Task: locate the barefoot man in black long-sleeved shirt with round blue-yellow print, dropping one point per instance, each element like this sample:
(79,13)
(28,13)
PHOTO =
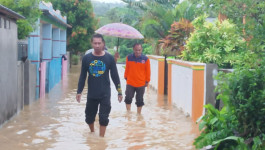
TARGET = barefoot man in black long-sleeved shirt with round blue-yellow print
(98,65)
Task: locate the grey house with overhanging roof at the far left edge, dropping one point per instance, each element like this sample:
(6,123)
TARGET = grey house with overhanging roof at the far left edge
(10,78)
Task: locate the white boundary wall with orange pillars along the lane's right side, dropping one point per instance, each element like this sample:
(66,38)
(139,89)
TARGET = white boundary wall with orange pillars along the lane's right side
(190,85)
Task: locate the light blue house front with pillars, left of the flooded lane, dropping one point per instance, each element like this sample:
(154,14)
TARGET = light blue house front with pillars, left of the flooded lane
(48,43)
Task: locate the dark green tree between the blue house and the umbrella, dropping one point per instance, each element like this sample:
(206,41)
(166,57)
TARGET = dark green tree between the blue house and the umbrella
(82,19)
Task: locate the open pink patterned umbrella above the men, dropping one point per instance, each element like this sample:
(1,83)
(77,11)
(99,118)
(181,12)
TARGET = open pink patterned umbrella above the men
(119,30)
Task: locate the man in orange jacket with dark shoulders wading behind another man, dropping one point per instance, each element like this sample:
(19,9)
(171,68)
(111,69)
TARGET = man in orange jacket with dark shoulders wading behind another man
(137,75)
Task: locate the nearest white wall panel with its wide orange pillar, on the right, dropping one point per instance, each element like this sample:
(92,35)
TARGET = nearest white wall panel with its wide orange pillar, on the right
(187,87)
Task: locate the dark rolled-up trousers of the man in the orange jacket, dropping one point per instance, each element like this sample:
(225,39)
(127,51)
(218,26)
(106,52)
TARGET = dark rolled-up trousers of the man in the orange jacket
(129,94)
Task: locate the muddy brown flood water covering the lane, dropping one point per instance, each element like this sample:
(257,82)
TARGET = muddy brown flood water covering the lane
(57,122)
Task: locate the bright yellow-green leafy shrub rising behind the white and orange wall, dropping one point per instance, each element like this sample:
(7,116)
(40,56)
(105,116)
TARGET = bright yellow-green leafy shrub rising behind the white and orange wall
(218,43)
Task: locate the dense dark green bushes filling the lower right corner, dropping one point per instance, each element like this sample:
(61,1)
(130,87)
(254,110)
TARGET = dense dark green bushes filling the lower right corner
(240,123)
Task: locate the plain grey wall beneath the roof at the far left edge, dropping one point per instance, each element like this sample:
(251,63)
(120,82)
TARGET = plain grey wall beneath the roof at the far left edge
(8,69)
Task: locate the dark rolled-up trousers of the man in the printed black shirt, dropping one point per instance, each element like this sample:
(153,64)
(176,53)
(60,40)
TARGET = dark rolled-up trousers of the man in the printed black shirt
(92,109)
